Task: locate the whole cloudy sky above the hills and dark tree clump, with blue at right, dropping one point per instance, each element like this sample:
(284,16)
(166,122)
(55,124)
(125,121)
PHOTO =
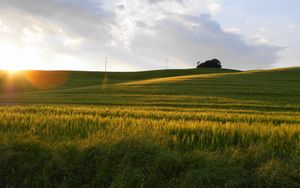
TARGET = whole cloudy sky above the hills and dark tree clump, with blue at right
(139,35)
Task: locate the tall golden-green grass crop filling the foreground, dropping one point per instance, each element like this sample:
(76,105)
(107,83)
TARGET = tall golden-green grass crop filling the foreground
(192,136)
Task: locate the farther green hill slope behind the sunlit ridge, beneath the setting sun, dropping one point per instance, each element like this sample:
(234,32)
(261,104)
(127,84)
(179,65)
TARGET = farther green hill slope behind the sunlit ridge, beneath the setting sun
(70,79)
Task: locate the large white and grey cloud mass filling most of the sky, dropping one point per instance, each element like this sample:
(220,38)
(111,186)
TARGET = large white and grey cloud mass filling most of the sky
(134,35)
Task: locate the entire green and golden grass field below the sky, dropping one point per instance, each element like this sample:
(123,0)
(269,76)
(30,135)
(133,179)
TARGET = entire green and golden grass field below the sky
(175,128)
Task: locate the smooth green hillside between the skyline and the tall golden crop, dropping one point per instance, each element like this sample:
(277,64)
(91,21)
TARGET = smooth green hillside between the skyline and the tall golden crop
(277,87)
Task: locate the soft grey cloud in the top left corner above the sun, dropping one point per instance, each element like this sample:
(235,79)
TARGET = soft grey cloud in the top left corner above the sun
(82,18)
